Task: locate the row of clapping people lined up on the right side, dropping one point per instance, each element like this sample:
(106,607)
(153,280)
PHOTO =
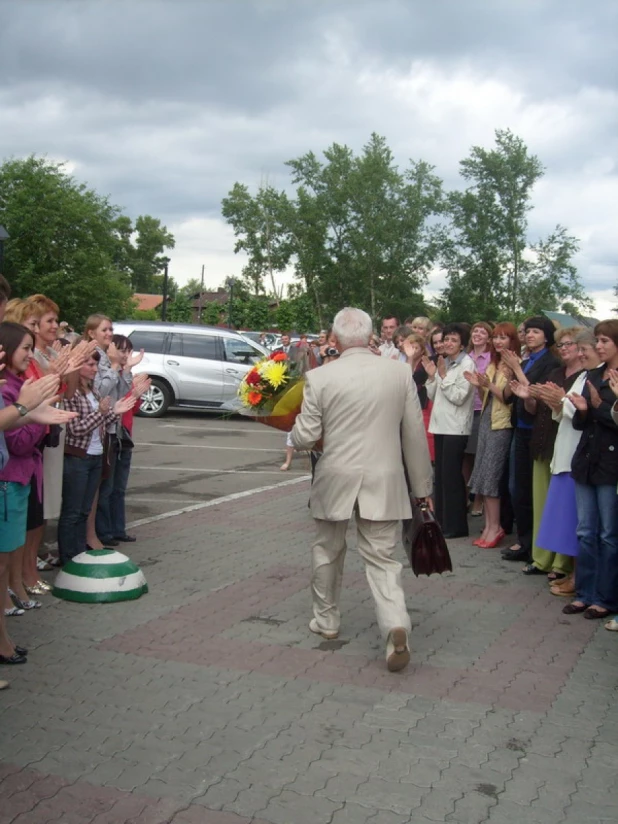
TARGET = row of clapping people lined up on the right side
(523,429)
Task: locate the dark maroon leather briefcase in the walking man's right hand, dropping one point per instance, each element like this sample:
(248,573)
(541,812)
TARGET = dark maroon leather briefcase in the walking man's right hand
(424,542)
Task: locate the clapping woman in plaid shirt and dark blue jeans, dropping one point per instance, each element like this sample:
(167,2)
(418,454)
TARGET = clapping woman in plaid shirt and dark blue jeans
(83,457)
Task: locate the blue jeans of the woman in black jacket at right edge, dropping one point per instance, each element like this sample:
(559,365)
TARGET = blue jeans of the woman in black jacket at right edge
(596,573)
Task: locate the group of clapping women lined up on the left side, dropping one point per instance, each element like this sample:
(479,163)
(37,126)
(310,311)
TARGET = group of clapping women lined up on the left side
(66,415)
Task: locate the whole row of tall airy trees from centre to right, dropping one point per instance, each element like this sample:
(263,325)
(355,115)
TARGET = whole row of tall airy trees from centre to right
(358,230)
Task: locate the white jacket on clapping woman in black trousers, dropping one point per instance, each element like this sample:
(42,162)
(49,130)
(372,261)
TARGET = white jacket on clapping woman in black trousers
(453,399)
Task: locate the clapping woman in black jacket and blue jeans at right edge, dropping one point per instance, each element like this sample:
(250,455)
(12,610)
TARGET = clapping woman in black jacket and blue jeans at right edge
(595,471)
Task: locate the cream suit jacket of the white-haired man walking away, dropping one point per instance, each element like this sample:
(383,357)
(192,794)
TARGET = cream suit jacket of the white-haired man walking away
(367,411)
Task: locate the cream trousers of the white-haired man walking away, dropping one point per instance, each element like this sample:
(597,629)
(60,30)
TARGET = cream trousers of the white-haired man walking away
(377,541)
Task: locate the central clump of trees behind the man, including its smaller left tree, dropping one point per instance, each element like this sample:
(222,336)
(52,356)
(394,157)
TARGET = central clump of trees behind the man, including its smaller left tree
(358,230)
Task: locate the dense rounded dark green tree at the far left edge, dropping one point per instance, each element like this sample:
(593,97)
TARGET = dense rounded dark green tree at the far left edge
(65,240)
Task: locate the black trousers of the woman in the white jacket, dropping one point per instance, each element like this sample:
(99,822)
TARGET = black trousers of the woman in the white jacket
(451,502)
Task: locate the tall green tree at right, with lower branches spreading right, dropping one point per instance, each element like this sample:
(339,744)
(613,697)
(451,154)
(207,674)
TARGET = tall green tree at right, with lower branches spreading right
(493,269)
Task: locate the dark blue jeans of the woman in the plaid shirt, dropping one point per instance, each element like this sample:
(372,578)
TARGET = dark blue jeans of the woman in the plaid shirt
(80,480)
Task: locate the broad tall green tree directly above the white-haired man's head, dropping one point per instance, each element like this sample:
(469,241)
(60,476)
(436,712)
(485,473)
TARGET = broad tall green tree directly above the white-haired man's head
(362,231)
